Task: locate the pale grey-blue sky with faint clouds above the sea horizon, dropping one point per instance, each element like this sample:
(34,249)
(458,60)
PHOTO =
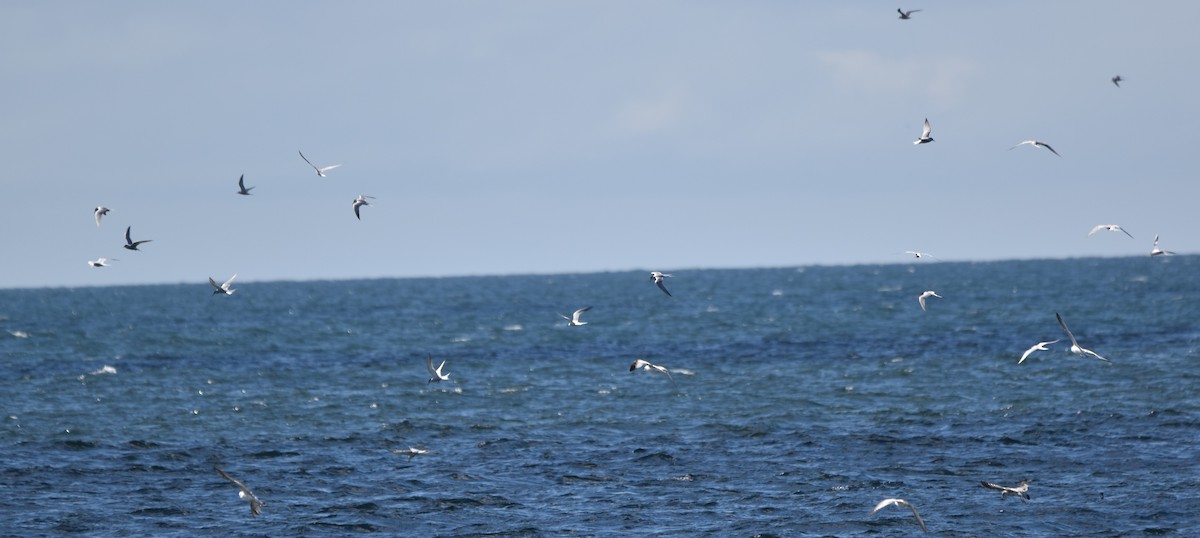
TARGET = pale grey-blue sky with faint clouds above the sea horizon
(517,138)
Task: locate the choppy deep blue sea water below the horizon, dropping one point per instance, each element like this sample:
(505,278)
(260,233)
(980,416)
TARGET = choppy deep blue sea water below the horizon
(802,397)
